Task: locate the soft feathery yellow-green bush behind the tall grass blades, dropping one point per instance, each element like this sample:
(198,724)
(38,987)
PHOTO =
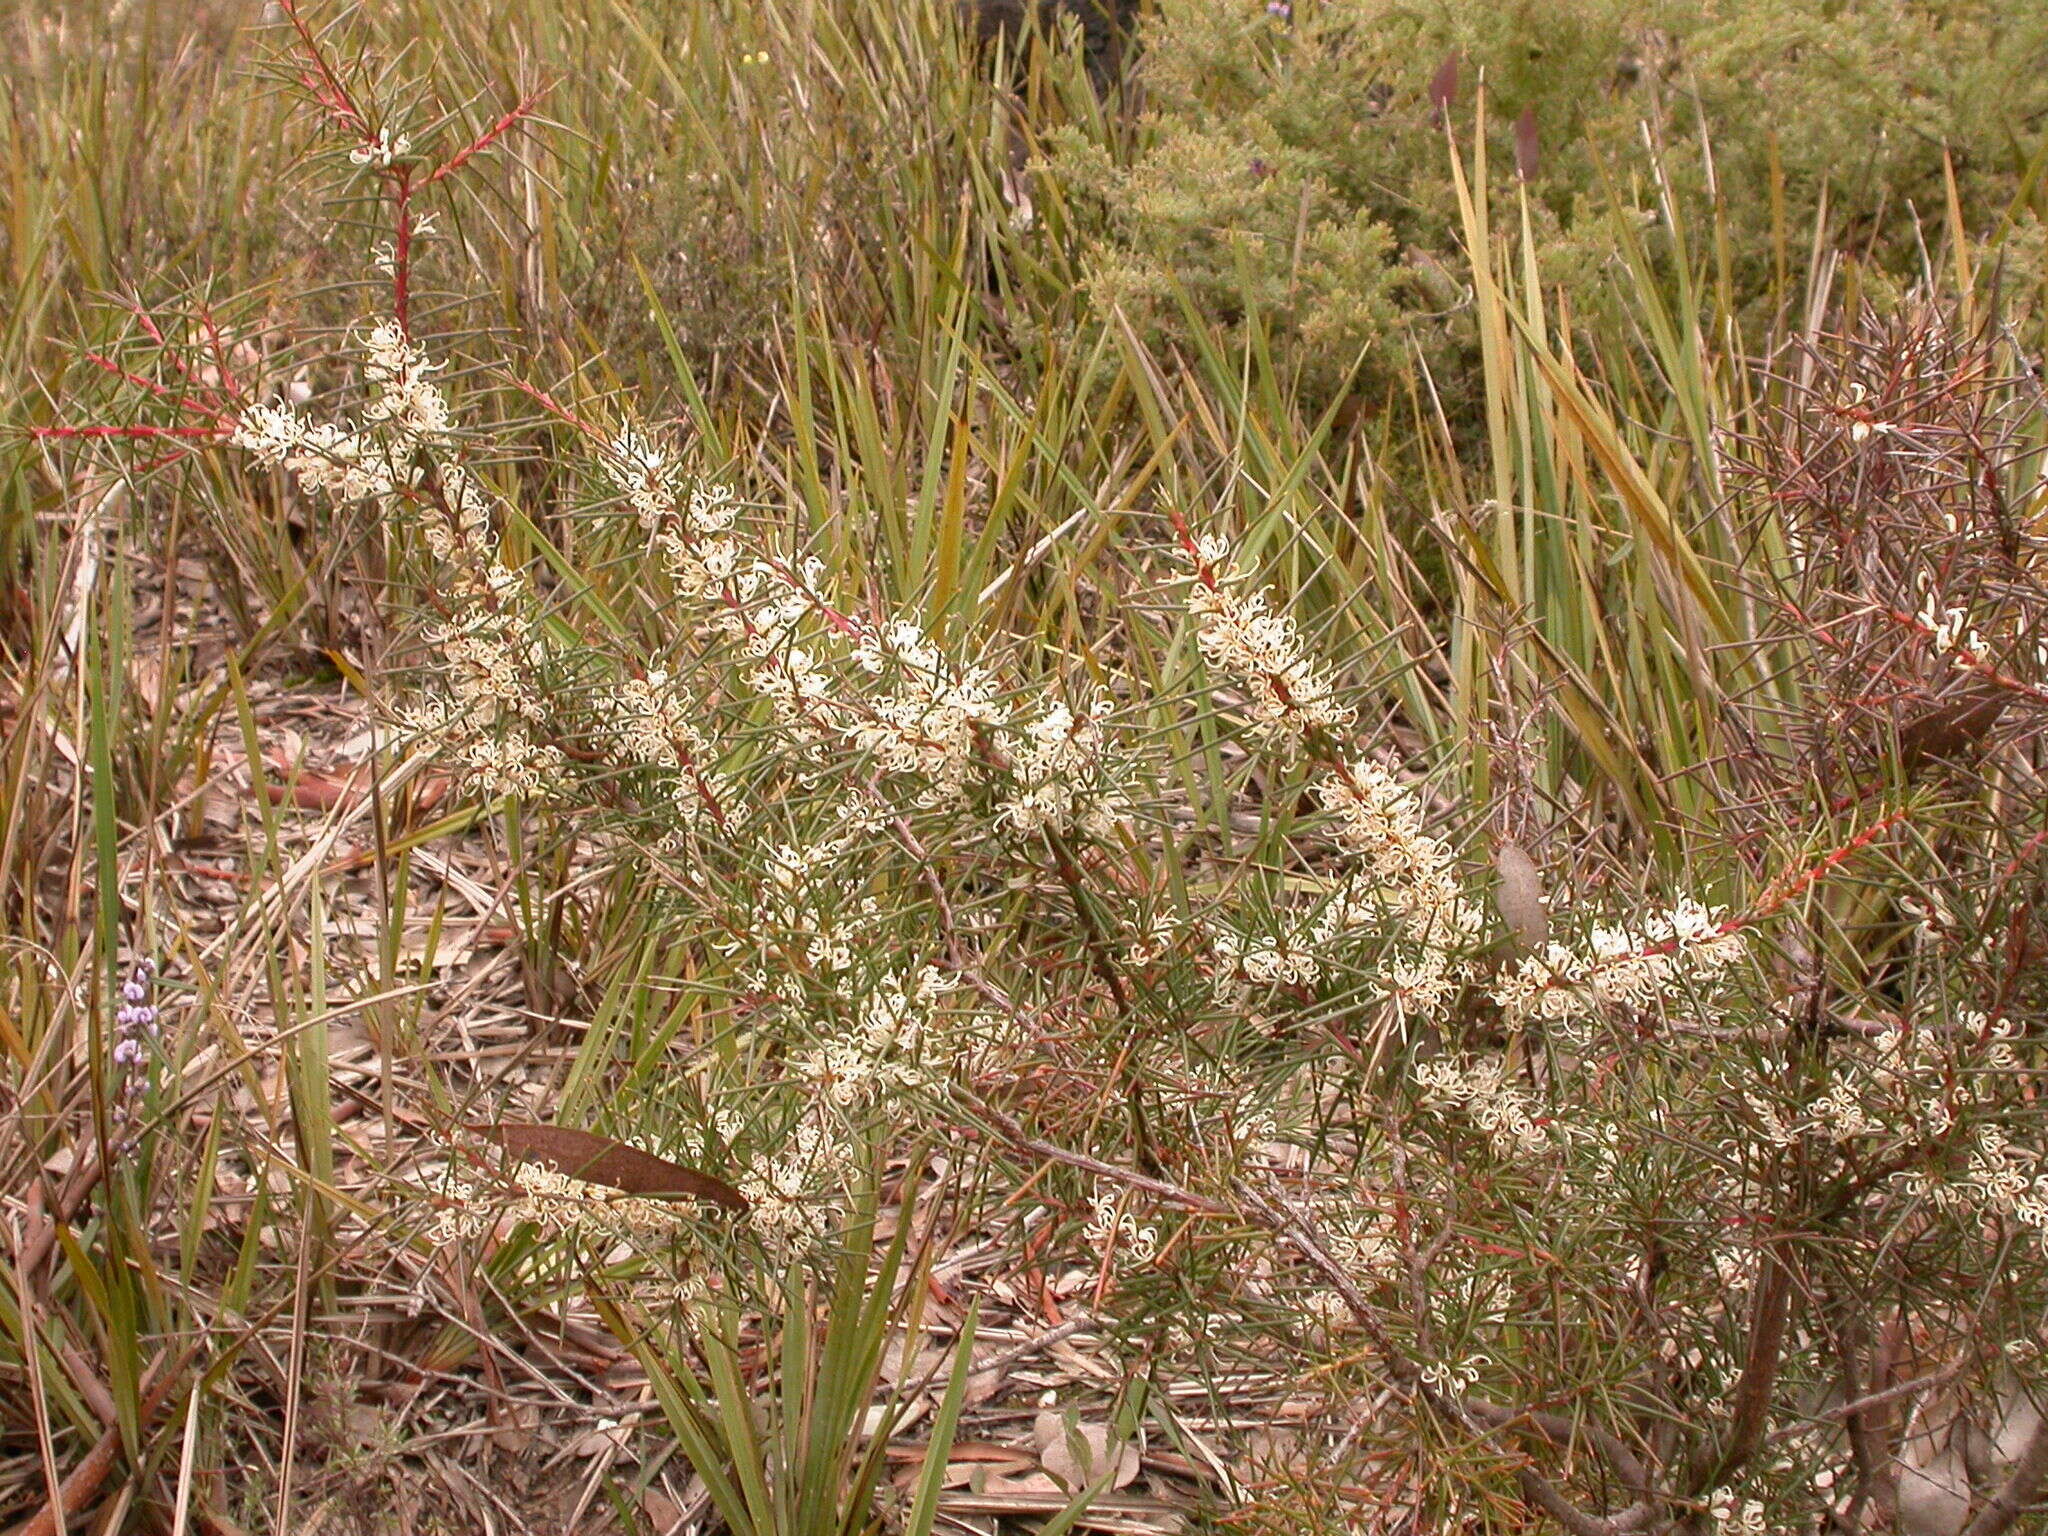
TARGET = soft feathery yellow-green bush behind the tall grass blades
(1291,171)
